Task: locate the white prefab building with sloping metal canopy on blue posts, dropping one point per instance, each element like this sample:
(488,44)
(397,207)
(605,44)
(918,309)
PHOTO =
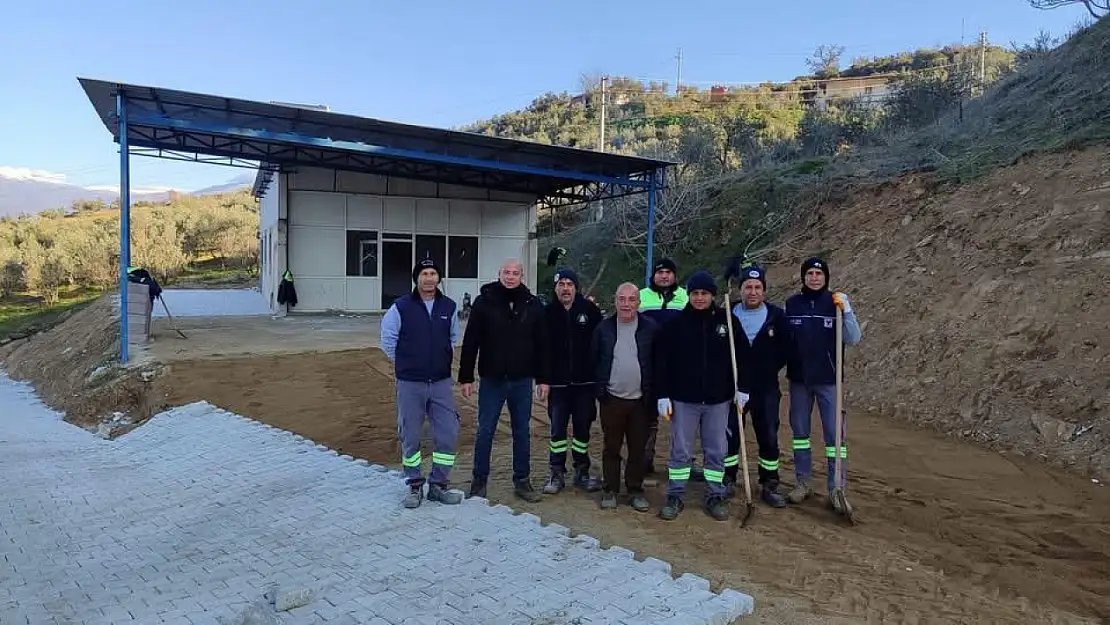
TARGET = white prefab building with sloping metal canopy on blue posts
(351,204)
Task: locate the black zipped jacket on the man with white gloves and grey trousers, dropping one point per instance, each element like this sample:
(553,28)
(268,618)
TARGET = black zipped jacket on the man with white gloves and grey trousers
(692,359)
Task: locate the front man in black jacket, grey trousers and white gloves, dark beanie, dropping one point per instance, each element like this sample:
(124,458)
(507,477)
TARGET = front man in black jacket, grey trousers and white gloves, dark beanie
(694,382)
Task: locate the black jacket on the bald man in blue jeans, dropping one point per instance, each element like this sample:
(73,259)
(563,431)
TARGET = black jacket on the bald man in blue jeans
(508,327)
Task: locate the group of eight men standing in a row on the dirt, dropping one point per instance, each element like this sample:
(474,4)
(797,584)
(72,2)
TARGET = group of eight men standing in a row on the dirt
(667,352)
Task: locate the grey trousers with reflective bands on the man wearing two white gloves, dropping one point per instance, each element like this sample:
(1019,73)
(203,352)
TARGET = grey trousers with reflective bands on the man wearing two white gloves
(713,422)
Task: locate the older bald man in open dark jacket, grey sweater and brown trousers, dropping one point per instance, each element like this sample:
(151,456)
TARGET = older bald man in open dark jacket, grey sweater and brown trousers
(623,352)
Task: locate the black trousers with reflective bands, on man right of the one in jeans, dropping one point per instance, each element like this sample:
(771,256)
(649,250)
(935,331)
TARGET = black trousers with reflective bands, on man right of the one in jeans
(576,407)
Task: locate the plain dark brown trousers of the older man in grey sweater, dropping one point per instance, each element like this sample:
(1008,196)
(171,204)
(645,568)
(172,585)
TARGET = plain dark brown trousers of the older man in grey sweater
(624,421)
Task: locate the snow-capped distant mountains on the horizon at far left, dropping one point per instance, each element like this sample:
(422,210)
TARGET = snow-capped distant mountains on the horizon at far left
(31,191)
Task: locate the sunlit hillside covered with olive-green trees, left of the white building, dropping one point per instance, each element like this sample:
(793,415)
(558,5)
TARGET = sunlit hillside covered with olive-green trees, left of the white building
(60,257)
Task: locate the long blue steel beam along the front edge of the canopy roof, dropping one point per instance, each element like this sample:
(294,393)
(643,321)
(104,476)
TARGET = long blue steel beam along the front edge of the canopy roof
(158,122)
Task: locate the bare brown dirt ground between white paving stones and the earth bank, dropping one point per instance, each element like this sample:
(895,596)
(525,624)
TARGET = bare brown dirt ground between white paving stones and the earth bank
(950,532)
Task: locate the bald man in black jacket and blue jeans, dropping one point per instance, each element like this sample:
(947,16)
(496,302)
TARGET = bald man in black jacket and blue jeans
(507,326)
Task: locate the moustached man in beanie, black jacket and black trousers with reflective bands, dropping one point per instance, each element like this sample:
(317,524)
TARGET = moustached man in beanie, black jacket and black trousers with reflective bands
(571,321)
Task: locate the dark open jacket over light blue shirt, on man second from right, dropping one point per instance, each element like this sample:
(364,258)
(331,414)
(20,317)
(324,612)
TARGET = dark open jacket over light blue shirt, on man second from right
(762,360)
